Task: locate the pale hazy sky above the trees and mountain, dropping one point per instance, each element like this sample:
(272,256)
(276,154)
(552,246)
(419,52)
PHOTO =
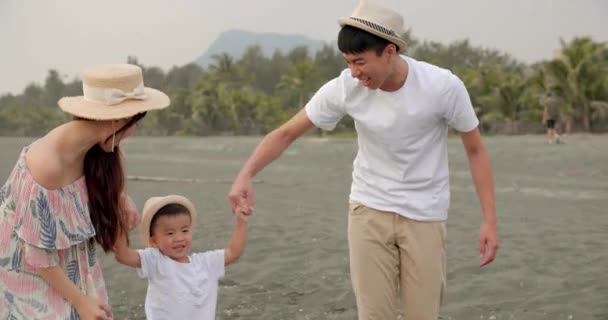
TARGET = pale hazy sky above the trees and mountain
(68,35)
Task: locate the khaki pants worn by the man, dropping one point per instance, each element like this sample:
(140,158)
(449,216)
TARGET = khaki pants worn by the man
(390,254)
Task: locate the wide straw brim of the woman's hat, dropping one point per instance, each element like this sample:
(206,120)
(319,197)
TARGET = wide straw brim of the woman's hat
(78,106)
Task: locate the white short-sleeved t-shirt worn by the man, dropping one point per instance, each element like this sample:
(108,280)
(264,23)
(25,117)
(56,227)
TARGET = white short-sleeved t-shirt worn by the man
(402,162)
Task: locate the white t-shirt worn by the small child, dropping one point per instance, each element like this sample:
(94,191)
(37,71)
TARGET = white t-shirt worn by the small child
(181,290)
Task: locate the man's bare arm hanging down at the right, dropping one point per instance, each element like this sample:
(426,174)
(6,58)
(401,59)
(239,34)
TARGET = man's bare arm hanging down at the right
(481,171)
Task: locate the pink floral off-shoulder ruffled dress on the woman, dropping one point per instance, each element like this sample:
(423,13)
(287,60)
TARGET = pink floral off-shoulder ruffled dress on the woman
(44,228)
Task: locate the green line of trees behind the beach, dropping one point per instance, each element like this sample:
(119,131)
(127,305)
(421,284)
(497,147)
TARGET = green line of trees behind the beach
(254,94)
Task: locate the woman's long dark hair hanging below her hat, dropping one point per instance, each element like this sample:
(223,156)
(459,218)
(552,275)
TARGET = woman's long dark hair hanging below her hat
(105,179)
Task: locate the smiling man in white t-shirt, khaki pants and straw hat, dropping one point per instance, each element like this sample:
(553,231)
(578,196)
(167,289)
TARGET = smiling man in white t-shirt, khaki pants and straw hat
(399,196)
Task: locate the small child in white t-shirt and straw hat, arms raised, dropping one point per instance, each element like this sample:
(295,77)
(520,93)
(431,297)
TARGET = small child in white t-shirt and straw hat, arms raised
(181,284)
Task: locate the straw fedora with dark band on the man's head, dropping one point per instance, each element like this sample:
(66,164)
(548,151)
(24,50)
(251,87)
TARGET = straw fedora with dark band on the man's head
(377,20)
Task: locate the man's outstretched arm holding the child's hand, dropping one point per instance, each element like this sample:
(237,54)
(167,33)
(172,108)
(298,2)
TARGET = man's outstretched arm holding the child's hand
(268,150)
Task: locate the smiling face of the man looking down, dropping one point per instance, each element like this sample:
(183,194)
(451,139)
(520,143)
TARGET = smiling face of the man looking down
(372,69)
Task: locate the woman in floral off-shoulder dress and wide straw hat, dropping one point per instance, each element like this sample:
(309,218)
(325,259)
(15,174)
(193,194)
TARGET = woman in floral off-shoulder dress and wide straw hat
(64,195)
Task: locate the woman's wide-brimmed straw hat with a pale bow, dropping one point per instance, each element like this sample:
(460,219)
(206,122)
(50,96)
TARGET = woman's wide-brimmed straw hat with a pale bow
(114,91)
